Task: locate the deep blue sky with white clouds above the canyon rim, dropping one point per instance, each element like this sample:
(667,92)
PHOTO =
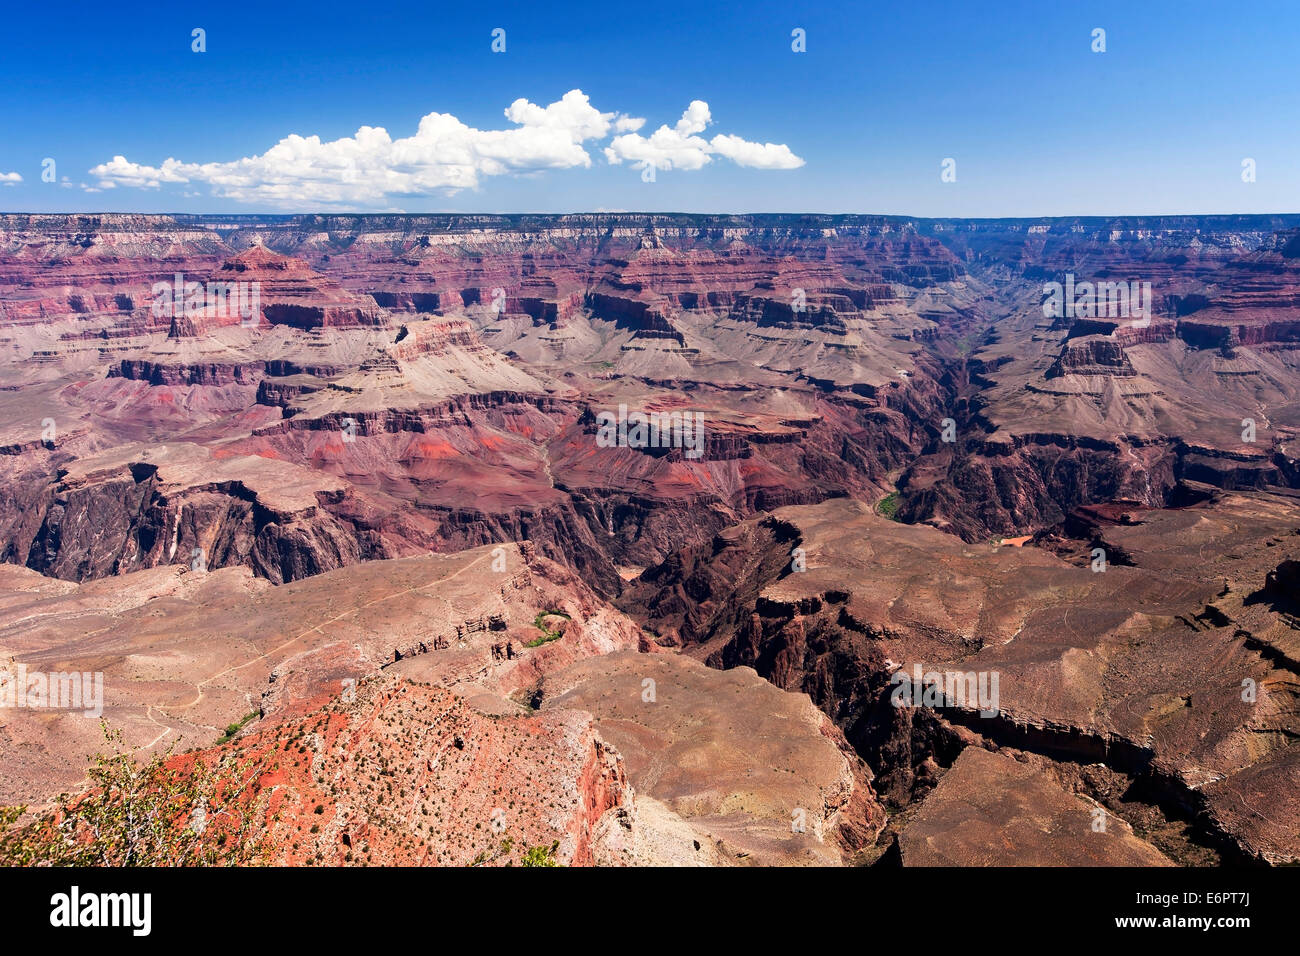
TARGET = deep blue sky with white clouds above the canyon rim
(1038,124)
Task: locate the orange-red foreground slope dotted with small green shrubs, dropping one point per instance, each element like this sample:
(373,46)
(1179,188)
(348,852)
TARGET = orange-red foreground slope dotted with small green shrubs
(396,777)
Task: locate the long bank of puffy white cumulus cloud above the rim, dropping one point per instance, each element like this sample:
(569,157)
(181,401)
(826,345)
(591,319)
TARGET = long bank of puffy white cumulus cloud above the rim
(445,154)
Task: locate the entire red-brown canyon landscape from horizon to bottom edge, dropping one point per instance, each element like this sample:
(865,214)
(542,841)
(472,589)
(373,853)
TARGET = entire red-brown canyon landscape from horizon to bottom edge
(350,490)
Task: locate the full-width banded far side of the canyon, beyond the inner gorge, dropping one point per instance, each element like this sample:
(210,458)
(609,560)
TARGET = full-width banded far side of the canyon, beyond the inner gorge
(825,353)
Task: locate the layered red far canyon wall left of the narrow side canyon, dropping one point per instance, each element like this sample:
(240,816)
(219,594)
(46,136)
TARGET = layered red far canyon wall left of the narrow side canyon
(424,434)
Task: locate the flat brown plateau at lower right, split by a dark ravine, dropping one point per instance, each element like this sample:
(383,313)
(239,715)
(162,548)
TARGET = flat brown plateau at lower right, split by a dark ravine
(1085,661)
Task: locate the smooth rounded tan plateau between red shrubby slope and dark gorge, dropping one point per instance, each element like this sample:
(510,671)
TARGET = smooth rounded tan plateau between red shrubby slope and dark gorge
(718,741)
